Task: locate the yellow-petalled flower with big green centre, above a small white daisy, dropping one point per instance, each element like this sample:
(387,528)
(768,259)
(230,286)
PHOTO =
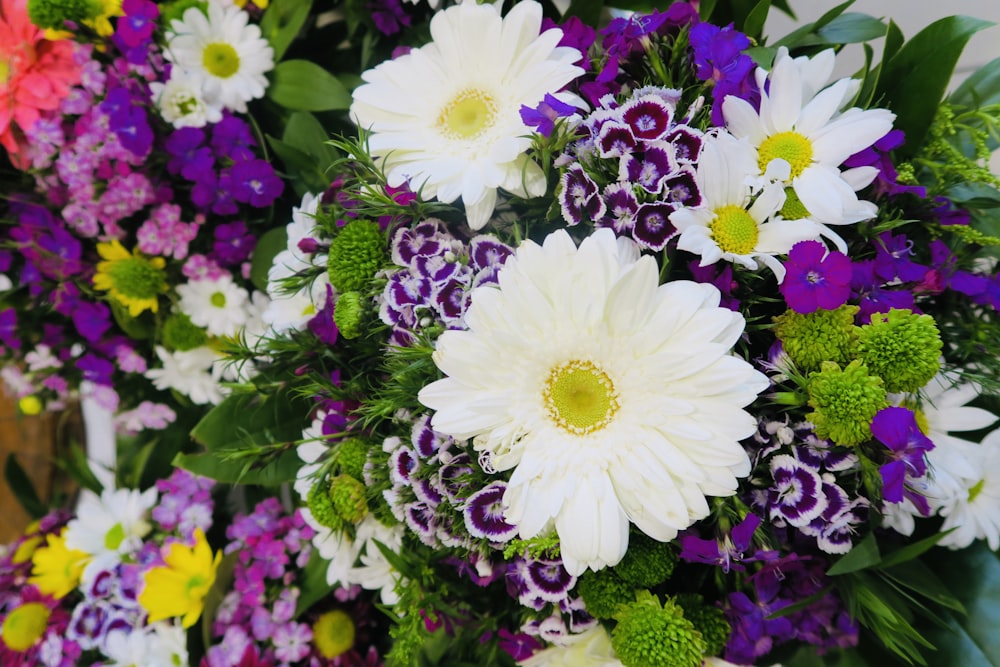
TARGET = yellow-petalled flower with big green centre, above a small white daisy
(133,280)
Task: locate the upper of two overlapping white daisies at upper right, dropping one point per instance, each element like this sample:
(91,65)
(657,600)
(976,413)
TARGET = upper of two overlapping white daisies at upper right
(802,137)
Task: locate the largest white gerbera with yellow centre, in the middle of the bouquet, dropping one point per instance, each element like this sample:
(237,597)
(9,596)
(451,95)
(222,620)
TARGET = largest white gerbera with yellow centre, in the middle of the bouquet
(613,398)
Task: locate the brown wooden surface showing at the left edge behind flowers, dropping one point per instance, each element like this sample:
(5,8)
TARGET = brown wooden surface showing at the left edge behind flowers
(34,441)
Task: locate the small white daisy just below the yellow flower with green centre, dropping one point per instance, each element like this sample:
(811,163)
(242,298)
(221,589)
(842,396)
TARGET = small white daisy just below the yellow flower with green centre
(217,304)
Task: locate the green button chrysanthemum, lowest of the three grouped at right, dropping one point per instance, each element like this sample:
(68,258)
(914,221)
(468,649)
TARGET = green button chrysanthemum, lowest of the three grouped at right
(845,401)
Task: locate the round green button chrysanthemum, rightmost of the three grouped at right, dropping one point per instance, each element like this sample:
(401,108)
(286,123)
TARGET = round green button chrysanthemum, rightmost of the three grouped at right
(902,348)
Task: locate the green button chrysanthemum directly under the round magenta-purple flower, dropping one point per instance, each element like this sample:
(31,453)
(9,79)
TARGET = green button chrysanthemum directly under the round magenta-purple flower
(823,335)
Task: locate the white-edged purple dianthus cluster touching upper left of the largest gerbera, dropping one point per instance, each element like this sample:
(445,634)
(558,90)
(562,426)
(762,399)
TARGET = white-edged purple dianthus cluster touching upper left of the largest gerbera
(437,274)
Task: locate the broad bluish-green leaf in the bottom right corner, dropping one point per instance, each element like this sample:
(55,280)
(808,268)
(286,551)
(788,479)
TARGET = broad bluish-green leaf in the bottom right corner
(973,576)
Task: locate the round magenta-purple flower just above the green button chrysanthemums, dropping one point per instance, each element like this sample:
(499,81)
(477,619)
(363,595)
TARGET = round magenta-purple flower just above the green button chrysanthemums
(815,279)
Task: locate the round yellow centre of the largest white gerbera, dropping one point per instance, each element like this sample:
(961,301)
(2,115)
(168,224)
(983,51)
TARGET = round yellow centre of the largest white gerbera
(580,397)
